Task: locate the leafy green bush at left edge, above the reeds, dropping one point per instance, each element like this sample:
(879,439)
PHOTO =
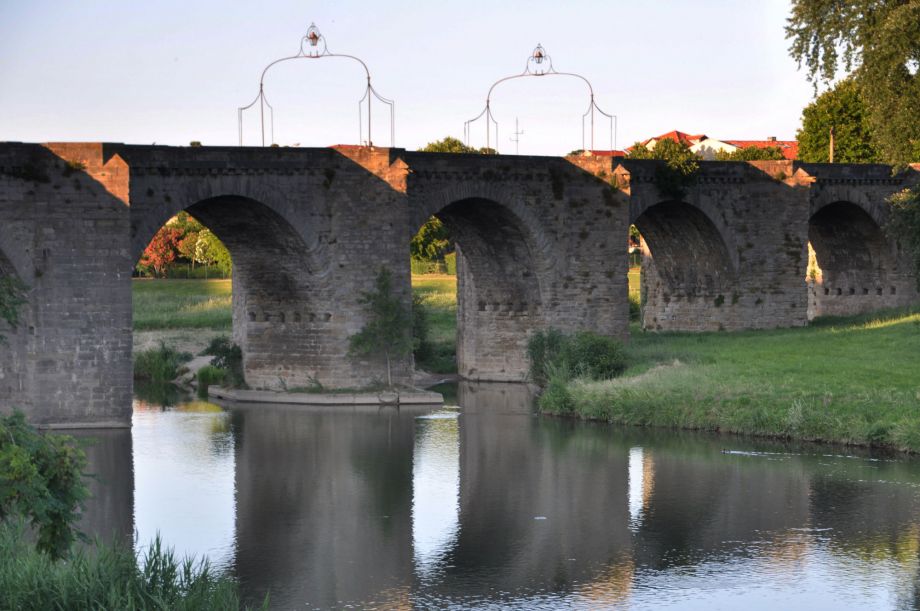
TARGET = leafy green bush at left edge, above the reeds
(41,480)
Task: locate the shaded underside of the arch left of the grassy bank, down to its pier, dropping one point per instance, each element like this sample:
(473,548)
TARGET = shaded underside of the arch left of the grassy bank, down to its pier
(499,300)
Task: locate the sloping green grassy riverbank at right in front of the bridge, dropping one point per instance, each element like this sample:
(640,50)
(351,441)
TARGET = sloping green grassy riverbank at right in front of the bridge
(850,380)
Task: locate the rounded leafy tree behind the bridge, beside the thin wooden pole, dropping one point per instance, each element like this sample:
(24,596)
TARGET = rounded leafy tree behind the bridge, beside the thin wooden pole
(843,109)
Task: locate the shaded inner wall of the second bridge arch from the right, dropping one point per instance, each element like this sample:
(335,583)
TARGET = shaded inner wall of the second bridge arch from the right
(687,268)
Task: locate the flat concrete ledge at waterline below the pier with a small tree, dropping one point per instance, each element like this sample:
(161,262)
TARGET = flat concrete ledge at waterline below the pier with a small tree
(384,398)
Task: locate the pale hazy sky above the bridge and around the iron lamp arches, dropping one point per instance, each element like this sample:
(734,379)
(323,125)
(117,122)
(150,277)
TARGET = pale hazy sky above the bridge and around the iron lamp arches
(170,72)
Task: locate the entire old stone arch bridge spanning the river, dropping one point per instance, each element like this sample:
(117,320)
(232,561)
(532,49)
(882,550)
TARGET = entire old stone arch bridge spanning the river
(541,243)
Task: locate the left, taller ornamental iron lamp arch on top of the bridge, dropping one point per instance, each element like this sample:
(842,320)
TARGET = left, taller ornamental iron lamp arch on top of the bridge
(313,46)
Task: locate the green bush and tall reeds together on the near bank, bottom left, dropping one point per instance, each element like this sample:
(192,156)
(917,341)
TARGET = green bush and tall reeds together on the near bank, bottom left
(42,489)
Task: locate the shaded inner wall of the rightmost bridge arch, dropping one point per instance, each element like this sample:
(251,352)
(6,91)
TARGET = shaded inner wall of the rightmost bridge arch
(851,265)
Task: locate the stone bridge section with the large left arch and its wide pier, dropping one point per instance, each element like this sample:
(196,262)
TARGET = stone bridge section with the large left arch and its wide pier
(299,232)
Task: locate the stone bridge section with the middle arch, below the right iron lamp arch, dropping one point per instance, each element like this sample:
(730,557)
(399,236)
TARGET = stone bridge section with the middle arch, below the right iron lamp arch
(534,246)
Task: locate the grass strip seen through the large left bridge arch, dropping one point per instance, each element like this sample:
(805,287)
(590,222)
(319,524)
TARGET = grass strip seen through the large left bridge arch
(181,304)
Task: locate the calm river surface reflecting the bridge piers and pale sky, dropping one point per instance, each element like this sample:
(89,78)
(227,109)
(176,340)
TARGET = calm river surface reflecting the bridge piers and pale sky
(488,506)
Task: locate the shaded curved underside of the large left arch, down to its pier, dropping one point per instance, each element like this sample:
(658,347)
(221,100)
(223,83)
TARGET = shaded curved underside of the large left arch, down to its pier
(281,312)
